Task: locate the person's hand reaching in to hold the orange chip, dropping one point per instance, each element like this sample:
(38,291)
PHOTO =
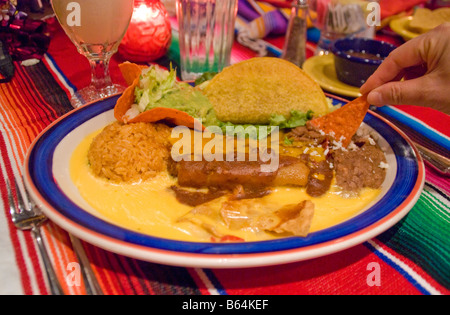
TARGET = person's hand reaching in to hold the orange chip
(424,64)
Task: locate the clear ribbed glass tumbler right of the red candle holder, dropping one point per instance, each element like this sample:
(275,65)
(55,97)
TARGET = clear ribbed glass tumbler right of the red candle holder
(206,35)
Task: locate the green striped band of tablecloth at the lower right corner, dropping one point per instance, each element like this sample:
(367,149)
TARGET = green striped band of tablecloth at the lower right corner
(427,247)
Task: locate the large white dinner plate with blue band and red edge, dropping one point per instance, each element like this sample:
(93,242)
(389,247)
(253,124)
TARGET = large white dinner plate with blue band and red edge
(49,177)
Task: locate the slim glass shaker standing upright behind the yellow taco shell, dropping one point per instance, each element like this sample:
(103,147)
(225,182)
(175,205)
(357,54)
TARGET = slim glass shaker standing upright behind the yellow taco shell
(295,46)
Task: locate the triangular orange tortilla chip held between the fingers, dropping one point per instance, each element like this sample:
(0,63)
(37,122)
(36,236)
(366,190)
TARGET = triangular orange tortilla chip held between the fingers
(343,123)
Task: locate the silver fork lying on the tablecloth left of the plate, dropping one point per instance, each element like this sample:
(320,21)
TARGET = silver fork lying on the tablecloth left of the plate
(27,216)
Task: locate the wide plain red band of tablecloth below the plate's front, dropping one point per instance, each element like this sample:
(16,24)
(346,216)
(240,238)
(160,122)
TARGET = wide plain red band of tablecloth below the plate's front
(341,273)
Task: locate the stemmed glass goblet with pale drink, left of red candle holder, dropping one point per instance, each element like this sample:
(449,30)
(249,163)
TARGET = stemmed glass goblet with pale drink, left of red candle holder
(96,27)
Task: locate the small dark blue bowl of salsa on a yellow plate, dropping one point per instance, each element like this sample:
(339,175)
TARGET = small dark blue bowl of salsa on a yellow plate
(356,59)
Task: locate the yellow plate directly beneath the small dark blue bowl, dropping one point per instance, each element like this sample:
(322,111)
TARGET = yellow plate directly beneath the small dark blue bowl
(321,69)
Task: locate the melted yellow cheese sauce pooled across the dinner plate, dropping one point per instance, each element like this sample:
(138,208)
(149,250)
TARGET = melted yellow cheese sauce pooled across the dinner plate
(151,208)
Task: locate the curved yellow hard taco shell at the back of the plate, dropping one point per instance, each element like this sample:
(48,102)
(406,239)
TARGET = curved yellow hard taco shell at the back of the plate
(251,91)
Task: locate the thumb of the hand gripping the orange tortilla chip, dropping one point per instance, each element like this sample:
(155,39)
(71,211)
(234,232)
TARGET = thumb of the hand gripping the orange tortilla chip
(411,92)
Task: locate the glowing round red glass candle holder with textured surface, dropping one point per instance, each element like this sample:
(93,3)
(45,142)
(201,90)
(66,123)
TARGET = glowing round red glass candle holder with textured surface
(149,35)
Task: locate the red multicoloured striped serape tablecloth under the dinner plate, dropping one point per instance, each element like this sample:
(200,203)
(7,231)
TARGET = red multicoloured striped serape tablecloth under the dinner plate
(413,256)
